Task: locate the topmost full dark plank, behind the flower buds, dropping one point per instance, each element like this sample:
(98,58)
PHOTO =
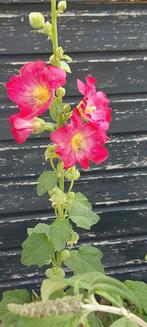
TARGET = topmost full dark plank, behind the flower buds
(88,28)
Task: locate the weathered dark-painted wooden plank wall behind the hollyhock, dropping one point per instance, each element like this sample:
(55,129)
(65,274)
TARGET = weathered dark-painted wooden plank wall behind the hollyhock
(110,42)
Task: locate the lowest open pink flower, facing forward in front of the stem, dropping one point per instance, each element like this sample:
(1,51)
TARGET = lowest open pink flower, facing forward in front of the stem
(79,142)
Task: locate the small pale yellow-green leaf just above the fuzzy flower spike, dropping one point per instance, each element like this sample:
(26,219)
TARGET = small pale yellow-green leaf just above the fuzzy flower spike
(50,286)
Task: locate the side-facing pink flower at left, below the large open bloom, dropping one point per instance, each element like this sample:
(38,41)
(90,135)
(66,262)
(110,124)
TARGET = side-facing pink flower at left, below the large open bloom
(23,126)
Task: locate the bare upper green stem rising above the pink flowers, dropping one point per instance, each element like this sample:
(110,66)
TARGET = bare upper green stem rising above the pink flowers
(54,31)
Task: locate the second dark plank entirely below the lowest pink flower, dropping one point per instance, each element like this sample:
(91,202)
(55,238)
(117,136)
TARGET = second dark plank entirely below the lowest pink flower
(115,222)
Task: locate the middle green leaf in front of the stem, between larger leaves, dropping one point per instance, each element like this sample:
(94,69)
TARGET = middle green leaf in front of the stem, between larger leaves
(60,233)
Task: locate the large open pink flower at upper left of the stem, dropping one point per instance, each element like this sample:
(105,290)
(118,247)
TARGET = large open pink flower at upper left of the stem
(34,88)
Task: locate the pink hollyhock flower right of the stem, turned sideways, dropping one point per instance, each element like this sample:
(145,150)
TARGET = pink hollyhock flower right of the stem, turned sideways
(94,105)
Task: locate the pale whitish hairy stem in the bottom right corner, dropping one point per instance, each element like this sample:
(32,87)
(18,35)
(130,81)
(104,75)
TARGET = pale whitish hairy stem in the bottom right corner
(94,307)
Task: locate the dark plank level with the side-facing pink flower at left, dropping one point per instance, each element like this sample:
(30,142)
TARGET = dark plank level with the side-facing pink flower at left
(129,115)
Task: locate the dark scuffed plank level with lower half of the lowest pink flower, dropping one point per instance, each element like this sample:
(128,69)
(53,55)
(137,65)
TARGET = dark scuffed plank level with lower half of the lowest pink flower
(125,151)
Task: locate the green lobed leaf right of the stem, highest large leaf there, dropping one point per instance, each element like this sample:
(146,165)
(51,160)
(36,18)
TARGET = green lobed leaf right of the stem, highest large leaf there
(80,212)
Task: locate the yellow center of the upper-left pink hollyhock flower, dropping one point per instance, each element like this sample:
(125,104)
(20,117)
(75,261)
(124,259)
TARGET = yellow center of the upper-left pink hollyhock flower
(41,95)
